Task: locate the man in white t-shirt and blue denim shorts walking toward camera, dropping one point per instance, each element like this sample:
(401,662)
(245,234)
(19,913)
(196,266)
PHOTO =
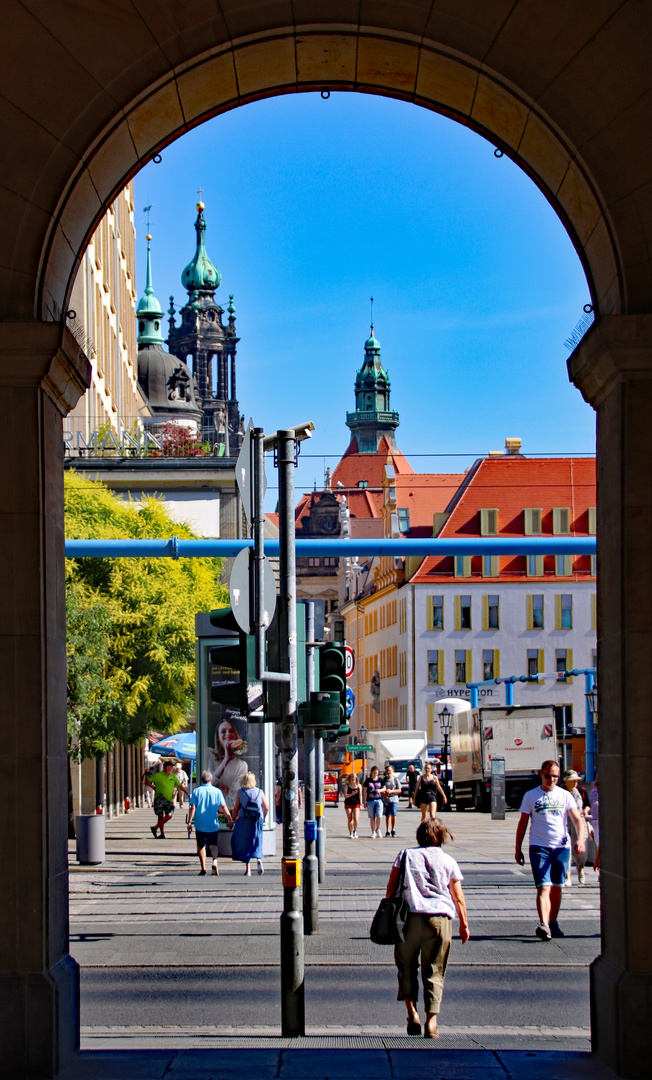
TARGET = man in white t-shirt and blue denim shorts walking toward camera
(548,808)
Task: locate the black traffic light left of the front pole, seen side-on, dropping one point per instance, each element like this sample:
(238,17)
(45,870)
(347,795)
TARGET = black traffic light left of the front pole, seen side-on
(235,683)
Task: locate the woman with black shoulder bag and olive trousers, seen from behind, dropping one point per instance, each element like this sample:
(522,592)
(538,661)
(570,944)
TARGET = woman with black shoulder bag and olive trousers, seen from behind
(431,886)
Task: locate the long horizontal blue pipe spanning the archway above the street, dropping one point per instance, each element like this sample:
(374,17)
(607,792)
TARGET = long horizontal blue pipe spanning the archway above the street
(397,546)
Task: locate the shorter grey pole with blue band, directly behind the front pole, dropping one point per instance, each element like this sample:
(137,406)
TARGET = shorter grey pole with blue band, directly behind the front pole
(311,887)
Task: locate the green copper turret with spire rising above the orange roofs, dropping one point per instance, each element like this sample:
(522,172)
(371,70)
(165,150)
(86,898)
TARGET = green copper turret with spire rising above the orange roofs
(373,417)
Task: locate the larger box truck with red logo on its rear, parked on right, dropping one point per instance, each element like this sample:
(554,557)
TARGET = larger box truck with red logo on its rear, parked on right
(524,735)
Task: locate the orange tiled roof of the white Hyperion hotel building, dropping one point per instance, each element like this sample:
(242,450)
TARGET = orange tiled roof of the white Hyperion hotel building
(510,485)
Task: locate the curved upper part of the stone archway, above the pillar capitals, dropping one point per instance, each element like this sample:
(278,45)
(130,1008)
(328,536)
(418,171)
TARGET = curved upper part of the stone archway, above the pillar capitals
(91,92)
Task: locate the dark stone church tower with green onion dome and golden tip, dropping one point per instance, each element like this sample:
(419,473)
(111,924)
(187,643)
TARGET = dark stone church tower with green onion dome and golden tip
(209,346)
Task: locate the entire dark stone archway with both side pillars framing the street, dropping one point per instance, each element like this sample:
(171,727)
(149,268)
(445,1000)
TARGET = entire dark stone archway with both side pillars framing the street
(90,94)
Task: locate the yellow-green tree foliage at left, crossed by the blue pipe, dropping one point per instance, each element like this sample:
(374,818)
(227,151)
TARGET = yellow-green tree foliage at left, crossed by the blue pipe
(130,623)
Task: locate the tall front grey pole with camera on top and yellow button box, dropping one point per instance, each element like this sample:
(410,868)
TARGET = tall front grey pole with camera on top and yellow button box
(293,1012)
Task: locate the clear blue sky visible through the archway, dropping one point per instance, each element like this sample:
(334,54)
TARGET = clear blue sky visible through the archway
(313,207)
